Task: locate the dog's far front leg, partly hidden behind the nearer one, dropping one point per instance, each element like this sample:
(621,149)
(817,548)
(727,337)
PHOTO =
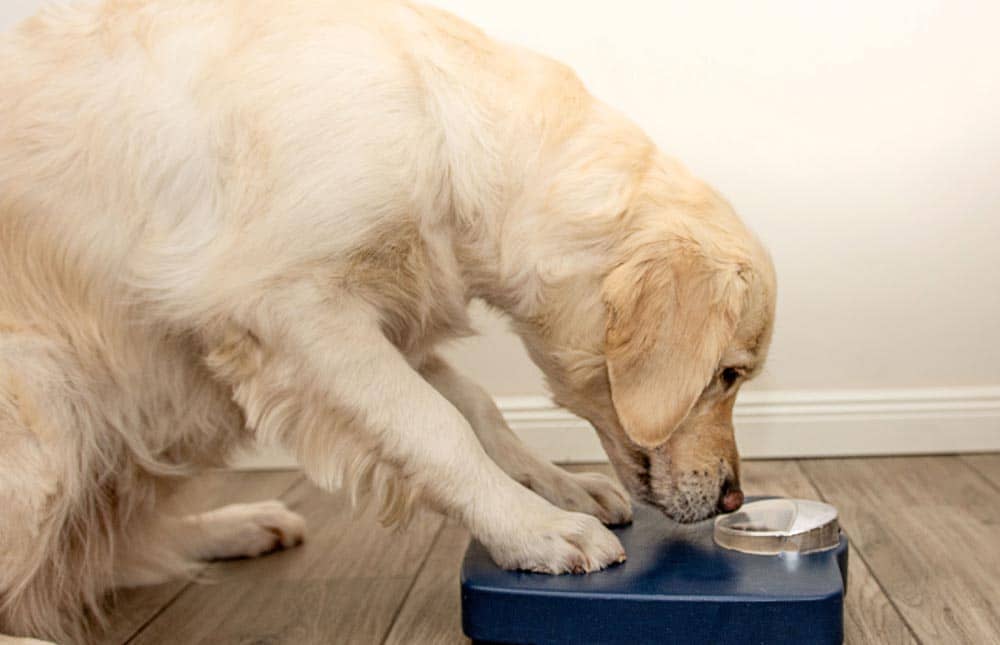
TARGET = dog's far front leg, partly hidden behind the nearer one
(591,493)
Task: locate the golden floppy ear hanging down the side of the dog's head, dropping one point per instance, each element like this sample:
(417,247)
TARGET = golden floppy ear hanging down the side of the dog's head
(671,313)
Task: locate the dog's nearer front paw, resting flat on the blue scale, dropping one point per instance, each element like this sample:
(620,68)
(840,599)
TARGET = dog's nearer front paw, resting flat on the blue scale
(561,542)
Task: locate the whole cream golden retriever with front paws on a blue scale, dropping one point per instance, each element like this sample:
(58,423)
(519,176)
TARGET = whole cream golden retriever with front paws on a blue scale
(230,221)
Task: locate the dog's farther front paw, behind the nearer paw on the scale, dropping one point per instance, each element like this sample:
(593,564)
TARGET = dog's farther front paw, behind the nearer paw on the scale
(591,493)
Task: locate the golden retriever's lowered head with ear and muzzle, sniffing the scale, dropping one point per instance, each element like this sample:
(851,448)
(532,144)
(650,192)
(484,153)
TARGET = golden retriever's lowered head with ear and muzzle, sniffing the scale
(686,319)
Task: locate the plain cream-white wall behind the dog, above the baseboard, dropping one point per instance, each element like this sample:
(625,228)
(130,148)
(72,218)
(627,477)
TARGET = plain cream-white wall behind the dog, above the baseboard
(860,140)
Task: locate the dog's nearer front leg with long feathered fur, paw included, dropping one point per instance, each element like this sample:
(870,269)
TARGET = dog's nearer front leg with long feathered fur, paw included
(336,391)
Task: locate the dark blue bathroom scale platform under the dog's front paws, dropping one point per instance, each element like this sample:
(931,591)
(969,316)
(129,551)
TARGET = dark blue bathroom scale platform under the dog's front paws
(677,586)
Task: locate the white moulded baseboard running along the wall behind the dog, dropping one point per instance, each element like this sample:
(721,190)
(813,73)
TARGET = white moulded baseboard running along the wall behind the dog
(783,424)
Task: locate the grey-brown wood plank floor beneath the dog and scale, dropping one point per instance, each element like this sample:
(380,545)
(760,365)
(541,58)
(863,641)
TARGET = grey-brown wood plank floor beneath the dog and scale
(925,564)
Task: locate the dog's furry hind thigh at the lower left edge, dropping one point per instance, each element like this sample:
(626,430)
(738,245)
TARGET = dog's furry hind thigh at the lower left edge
(57,502)
